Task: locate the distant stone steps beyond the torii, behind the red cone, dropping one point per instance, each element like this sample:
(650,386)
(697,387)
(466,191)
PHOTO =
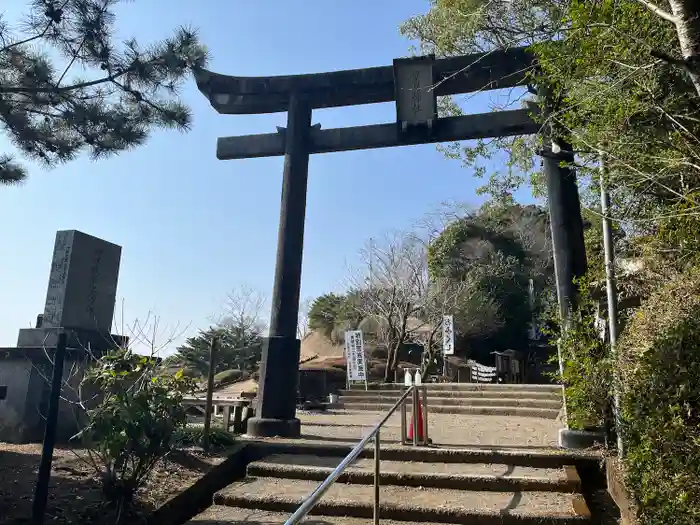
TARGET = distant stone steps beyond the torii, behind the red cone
(464,398)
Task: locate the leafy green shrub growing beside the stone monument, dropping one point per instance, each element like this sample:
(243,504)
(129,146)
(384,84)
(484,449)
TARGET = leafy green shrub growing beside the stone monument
(132,425)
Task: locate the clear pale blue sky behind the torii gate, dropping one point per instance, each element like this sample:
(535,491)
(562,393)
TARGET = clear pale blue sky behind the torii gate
(192,228)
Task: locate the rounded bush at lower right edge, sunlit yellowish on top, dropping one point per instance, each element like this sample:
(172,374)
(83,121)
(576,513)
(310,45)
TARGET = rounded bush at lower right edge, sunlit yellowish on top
(660,375)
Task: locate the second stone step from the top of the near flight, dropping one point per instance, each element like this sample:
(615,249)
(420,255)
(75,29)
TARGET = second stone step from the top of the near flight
(474,476)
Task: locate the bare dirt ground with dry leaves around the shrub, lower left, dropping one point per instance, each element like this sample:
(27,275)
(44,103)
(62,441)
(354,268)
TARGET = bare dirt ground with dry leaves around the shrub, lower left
(75,493)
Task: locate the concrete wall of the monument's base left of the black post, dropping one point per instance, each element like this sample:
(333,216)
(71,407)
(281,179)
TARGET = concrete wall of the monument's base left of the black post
(15,375)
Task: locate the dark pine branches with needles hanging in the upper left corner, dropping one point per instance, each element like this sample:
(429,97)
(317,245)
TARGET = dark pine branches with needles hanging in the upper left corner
(67,88)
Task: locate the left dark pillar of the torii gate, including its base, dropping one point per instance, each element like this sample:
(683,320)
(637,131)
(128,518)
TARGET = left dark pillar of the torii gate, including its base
(279,369)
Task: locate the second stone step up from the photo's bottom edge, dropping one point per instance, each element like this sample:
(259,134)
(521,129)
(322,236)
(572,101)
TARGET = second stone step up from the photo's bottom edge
(409,503)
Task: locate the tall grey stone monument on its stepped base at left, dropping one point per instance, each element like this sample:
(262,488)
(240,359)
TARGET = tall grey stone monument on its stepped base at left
(80,301)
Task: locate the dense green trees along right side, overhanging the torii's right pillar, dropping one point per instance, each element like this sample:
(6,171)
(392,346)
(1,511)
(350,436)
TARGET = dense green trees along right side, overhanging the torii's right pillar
(624,77)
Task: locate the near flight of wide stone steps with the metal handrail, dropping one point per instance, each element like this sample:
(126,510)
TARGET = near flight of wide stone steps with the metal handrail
(418,485)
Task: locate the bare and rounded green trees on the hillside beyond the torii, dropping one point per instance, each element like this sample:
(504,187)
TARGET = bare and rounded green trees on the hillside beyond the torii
(474,265)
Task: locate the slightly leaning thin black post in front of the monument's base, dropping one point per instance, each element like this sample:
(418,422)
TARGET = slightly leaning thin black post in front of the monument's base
(42,484)
